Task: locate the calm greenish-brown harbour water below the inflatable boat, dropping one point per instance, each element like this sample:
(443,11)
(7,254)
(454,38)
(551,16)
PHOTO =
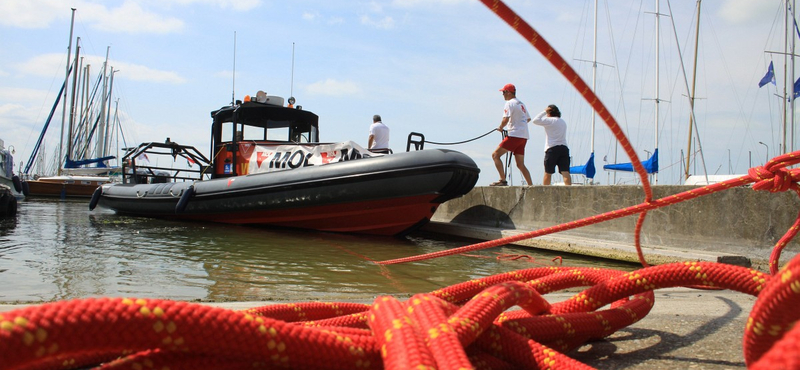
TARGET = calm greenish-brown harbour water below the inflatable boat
(57,250)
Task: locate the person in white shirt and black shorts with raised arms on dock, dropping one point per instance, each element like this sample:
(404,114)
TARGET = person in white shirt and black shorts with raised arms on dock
(556,152)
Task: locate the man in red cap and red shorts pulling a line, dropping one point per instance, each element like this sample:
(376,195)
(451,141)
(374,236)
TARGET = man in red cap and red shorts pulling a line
(515,118)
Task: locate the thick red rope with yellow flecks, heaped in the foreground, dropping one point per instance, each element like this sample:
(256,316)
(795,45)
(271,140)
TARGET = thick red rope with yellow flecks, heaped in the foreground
(456,327)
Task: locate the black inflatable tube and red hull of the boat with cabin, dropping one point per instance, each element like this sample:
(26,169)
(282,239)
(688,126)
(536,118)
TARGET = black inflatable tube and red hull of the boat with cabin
(387,195)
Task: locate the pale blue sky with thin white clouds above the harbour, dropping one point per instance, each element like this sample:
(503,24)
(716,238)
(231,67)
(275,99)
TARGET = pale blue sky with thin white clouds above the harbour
(433,67)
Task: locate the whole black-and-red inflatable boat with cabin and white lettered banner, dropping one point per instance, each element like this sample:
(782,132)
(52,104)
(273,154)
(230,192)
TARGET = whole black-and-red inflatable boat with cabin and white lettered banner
(269,168)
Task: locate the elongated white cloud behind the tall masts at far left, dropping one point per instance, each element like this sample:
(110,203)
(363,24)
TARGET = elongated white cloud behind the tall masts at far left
(45,64)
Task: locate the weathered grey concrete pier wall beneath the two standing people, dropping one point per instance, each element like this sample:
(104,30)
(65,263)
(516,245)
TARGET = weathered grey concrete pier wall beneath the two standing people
(737,222)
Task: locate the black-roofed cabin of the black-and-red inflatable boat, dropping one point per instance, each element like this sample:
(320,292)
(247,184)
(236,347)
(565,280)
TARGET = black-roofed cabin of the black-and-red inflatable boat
(262,120)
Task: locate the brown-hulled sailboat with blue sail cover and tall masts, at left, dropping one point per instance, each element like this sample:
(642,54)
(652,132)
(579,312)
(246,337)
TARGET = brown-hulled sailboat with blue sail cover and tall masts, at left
(77,175)
